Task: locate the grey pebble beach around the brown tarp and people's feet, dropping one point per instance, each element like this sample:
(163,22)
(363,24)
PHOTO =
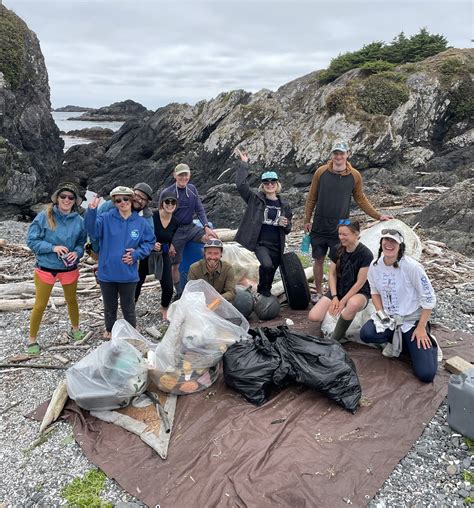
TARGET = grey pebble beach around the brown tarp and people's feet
(431,474)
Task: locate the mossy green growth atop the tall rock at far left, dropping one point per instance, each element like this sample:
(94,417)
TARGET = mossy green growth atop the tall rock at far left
(12,47)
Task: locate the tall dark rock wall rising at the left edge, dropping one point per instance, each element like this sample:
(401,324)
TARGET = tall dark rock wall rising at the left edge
(31,150)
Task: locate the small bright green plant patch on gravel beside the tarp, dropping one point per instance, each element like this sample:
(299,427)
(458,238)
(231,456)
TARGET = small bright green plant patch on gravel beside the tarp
(84,492)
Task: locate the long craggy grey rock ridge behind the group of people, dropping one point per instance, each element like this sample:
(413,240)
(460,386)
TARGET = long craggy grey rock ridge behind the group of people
(423,138)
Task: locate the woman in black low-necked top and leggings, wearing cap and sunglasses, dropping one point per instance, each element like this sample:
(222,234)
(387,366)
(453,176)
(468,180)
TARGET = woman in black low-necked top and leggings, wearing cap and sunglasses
(165,226)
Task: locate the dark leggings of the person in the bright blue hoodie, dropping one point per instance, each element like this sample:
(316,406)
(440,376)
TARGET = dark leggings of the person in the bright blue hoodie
(110,295)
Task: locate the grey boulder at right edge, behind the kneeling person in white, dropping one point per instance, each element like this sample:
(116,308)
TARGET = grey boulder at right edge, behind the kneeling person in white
(450,218)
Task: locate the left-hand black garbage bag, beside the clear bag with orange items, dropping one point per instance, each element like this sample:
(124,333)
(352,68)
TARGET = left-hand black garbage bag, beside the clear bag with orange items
(249,366)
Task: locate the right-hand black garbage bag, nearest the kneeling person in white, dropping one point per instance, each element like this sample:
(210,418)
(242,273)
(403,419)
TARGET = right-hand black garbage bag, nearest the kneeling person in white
(319,363)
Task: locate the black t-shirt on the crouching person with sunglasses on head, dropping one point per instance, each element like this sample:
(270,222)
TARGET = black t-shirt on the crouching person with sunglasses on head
(351,263)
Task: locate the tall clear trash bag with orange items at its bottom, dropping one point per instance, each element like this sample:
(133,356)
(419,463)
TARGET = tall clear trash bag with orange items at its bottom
(202,326)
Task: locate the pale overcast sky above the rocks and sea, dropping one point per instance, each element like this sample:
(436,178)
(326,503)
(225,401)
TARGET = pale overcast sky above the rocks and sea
(155,52)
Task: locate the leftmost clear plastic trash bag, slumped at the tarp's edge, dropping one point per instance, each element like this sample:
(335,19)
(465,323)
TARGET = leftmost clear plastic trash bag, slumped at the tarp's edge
(111,375)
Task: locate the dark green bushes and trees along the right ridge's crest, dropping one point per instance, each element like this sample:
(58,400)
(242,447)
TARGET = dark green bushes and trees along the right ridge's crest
(379,56)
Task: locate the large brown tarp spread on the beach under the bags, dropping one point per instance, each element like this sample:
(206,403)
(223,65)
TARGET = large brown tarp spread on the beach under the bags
(299,449)
